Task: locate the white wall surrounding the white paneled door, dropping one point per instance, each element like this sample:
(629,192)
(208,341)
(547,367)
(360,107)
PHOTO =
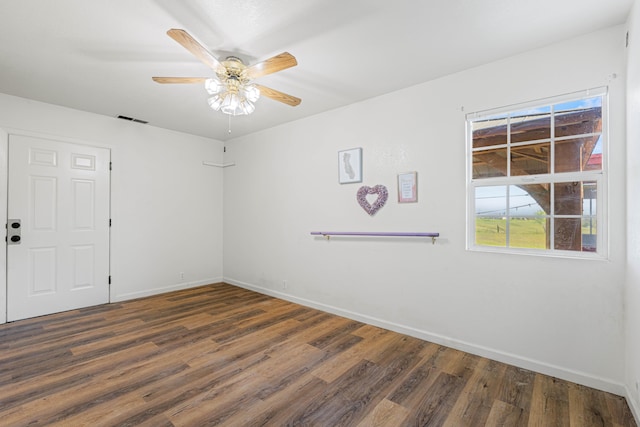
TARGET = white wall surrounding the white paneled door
(166,206)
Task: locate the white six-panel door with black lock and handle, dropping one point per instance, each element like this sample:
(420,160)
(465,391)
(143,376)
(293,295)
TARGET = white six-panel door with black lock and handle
(58,207)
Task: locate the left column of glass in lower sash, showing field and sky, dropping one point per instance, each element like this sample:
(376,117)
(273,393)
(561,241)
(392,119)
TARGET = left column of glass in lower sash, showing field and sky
(490,222)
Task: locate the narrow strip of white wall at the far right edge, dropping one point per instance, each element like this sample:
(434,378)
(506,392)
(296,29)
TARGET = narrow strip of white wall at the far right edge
(632,296)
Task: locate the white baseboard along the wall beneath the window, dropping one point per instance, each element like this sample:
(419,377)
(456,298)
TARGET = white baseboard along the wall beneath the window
(500,356)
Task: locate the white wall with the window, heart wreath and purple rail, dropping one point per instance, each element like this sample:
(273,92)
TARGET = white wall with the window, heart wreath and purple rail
(559,316)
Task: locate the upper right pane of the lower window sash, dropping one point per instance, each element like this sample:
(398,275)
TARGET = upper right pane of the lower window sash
(575,198)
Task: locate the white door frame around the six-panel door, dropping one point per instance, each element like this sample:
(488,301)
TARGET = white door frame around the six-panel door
(5,132)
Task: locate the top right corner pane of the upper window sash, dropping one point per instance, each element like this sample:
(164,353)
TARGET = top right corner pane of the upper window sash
(578,117)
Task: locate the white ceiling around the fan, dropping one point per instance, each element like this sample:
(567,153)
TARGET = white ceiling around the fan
(100,55)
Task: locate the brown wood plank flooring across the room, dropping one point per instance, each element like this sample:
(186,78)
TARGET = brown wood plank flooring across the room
(222,355)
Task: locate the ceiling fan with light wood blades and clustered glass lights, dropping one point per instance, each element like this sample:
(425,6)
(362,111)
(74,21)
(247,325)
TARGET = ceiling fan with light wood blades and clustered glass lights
(233,90)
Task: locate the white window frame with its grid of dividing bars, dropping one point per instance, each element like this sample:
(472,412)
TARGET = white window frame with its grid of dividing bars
(599,176)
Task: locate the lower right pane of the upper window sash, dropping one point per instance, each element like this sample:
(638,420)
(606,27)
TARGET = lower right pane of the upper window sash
(575,155)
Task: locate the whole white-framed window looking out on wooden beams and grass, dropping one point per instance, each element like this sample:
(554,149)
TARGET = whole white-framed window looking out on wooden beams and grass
(536,177)
